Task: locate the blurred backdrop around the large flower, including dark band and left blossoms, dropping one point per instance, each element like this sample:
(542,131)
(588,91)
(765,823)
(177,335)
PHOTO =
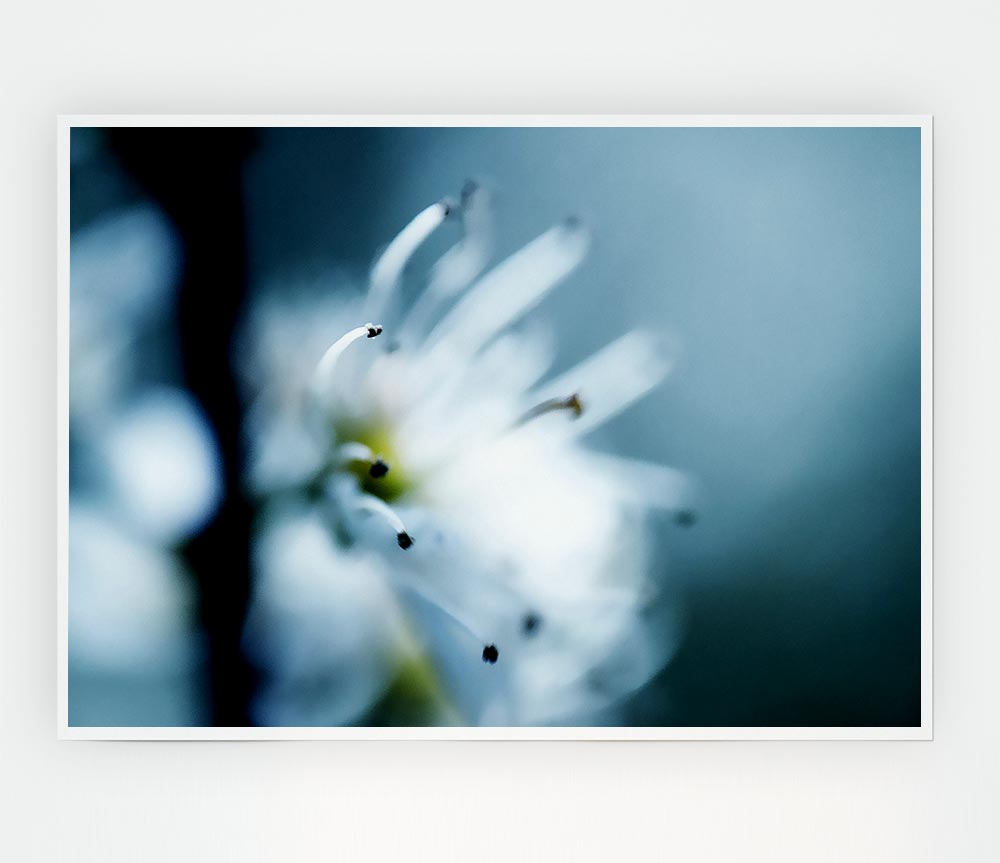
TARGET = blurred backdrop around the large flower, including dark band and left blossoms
(784,263)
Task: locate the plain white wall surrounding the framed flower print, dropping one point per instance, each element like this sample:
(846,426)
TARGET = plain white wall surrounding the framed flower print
(475,802)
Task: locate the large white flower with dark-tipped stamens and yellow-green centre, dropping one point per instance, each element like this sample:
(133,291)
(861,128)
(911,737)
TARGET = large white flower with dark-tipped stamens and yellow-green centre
(494,547)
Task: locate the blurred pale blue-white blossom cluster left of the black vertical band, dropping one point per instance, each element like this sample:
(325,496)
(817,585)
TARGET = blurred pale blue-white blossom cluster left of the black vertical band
(145,476)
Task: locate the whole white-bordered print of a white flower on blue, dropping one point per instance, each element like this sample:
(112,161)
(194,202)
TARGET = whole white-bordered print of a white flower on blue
(495,427)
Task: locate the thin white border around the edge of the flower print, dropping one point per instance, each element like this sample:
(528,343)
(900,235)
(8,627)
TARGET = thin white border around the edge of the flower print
(922,732)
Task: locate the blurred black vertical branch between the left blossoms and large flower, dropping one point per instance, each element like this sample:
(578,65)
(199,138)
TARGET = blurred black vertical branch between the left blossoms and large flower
(196,176)
